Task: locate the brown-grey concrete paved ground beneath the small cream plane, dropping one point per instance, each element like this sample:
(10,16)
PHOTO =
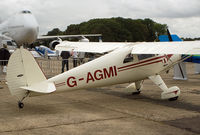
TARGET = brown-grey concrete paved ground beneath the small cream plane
(106,111)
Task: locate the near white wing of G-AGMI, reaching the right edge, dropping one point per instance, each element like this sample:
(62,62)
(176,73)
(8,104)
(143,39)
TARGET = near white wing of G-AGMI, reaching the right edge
(186,47)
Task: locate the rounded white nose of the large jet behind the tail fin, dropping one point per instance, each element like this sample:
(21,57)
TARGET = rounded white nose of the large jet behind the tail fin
(21,27)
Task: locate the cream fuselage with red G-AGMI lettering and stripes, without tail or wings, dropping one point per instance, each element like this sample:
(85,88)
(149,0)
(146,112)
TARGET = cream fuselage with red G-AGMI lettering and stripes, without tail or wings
(111,69)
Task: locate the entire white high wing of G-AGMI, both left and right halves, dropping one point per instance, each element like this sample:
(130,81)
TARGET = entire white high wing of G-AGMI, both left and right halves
(186,47)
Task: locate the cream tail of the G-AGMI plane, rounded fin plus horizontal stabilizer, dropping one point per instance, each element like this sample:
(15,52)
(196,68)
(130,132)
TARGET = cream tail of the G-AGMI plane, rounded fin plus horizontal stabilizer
(24,75)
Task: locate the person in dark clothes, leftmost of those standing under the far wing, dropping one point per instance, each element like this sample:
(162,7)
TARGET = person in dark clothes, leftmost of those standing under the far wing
(65,56)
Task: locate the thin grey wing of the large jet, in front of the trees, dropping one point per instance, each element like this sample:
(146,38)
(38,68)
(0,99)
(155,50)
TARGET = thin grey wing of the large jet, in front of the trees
(69,36)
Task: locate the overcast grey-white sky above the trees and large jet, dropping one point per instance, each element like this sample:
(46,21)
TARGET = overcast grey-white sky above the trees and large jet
(182,16)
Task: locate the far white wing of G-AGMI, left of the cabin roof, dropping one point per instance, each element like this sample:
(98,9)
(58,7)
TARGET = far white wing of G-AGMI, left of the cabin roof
(91,47)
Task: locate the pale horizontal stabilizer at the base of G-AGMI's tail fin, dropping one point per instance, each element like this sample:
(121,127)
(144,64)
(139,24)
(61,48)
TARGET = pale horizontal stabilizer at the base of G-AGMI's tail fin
(43,87)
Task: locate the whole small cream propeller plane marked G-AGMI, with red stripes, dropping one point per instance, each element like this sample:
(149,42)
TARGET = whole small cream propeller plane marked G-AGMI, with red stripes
(123,63)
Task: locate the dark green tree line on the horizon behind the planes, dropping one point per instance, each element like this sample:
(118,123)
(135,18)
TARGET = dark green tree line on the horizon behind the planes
(116,29)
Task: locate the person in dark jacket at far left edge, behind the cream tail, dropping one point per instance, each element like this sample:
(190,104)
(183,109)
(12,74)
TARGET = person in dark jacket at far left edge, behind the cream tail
(4,56)
